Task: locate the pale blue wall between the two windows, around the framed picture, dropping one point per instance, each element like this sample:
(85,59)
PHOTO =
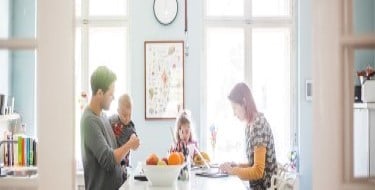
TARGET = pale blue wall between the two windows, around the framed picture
(155,135)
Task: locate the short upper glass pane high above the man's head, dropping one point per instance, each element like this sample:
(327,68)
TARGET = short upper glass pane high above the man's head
(108,8)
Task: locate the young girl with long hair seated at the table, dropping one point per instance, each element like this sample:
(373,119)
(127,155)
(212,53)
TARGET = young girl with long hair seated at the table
(184,135)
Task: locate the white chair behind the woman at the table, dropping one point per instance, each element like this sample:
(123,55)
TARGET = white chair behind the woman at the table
(283,179)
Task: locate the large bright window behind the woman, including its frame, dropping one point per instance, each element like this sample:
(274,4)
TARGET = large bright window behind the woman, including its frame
(251,41)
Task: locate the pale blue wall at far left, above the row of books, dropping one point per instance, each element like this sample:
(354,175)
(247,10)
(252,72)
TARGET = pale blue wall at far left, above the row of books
(23,63)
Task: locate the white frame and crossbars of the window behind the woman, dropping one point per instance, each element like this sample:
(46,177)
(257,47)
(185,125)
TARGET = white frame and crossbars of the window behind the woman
(247,23)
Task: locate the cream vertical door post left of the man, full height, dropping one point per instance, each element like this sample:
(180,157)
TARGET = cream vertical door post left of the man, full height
(55,103)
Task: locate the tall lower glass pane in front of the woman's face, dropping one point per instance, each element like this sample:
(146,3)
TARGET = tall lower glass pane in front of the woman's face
(225,67)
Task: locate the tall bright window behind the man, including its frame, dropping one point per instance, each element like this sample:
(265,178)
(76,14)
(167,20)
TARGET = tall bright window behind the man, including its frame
(101,39)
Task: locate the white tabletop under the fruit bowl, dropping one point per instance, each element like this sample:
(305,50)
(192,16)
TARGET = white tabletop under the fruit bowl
(194,183)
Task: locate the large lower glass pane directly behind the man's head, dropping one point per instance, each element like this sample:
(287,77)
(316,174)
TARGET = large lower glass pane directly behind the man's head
(107,46)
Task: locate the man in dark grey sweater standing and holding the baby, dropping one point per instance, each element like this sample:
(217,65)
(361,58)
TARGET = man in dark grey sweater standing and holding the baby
(101,156)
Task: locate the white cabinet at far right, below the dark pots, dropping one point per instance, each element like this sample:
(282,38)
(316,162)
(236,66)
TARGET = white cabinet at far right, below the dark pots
(364,140)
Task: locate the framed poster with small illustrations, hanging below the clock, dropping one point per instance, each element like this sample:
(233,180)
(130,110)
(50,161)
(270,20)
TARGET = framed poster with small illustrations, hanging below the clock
(164,79)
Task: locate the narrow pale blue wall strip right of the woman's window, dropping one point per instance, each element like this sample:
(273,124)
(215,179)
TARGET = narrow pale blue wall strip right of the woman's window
(305,108)
